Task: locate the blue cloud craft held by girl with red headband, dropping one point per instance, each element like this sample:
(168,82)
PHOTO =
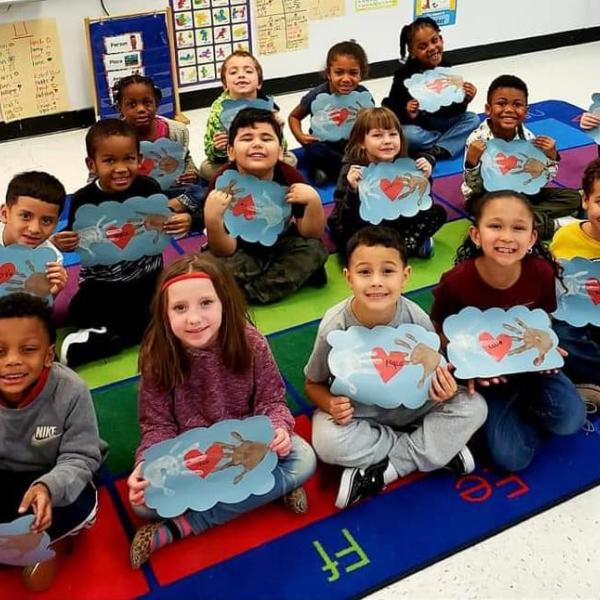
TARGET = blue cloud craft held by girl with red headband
(226,462)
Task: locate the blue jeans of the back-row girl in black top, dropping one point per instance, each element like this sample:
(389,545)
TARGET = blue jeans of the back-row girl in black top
(449,133)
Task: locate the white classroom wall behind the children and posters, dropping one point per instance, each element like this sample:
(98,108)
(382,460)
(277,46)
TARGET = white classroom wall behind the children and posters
(478,22)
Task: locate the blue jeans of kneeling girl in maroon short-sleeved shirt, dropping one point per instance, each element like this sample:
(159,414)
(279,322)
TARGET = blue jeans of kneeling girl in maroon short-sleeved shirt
(523,409)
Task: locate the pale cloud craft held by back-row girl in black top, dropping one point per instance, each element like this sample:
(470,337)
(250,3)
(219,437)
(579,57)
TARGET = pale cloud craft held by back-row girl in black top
(436,88)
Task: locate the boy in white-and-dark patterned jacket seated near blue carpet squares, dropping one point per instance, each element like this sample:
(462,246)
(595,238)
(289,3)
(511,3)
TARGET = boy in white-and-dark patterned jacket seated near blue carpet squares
(506,111)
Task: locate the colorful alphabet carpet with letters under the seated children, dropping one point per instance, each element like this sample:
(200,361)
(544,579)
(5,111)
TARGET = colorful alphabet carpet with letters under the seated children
(326,553)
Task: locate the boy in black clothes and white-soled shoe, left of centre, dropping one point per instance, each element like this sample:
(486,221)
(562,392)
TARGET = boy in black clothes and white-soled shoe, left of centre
(111,307)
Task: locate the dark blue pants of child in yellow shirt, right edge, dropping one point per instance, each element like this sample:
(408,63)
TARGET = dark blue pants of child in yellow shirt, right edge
(583,345)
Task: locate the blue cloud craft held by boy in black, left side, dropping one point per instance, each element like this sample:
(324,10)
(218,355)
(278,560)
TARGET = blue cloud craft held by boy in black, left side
(116,231)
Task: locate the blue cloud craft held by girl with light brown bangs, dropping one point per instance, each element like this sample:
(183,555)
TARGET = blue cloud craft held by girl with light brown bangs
(389,190)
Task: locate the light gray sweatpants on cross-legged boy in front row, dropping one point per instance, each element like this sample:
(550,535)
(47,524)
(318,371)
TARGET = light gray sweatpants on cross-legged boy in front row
(432,436)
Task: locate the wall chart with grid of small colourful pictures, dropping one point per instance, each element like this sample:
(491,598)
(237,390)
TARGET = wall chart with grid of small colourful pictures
(206,32)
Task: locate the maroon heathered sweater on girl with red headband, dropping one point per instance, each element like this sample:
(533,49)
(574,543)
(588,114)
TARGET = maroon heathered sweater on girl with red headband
(214,393)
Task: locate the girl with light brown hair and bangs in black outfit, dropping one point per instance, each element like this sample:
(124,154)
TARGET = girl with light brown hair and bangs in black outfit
(377,137)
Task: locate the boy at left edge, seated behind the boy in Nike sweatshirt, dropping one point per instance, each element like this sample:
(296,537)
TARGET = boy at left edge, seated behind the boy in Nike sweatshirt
(34,201)
